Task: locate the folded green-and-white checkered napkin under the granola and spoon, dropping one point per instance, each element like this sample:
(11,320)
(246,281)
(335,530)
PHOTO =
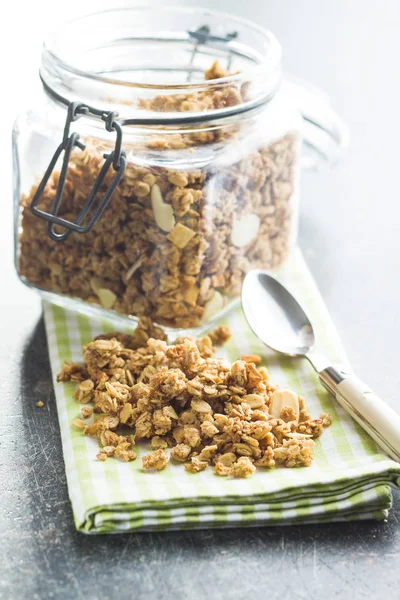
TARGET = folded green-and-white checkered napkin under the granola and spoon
(349,479)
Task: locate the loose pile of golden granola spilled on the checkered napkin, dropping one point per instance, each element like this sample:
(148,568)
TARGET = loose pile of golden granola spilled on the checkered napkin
(192,407)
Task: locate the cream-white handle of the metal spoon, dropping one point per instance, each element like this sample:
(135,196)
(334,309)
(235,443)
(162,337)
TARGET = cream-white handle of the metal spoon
(371,412)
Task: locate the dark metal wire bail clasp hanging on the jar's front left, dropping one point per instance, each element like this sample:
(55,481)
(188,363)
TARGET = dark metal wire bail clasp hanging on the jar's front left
(116,158)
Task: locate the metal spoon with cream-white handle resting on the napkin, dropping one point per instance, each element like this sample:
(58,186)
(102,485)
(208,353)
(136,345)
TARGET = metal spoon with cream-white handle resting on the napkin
(279,322)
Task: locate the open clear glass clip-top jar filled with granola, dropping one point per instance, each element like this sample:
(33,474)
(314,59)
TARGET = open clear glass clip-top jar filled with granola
(161,163)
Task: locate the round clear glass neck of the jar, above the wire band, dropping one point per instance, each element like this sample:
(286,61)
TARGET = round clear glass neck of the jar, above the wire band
(143,62)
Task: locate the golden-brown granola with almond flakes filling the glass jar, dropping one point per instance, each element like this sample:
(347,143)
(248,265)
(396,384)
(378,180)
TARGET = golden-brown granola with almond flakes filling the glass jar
(173,245)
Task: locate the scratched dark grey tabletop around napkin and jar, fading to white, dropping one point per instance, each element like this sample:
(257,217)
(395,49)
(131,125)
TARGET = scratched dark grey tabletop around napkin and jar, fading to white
(349,233)
